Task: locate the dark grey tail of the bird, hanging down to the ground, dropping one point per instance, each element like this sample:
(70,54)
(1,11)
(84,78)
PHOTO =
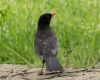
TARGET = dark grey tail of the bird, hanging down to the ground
(53,64)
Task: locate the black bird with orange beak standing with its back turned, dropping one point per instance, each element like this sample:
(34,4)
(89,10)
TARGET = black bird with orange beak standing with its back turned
(46,44)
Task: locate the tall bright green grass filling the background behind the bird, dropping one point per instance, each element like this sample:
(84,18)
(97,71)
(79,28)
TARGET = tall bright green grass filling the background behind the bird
(77,26)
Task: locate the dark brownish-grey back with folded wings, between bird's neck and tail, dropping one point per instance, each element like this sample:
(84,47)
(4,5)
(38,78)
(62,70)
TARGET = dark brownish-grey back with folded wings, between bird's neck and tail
(46,43)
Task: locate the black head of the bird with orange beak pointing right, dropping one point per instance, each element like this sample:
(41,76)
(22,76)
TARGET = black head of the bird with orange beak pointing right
(44,20)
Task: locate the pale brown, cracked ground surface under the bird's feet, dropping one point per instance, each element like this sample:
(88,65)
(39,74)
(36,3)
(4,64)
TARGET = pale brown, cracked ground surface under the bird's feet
(22,72)
